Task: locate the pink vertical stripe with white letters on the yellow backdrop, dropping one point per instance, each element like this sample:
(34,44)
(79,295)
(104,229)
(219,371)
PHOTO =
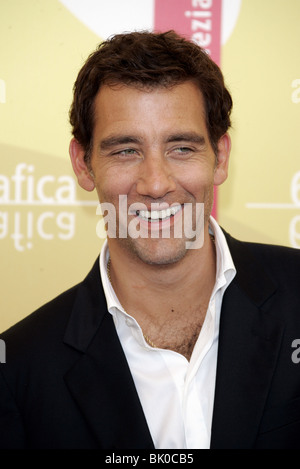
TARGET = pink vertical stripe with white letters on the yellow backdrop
(199,20)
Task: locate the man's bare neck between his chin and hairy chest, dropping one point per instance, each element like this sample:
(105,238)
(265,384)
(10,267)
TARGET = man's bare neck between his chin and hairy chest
(158,293)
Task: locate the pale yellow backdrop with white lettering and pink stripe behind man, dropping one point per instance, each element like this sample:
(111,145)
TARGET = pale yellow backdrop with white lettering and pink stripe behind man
(49,236)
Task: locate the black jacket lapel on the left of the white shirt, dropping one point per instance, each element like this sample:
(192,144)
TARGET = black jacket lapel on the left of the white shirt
(100,381)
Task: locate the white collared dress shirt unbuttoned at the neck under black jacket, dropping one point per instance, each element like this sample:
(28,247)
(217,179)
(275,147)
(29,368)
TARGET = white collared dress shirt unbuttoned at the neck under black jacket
(177,395)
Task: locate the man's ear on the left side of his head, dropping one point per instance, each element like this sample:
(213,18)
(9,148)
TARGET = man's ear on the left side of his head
(83,174)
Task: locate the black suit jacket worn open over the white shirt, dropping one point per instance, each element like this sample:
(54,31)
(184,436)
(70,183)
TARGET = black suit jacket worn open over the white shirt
(66,382)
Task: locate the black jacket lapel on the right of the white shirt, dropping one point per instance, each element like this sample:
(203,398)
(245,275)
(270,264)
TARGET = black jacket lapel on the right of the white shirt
(249,341)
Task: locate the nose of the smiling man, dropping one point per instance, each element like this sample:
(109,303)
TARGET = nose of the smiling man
(155,177)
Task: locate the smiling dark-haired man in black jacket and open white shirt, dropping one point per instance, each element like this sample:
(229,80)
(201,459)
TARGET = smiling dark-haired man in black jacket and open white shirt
(180,336)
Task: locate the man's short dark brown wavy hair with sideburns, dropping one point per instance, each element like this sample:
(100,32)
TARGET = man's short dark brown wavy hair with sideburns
(148,60)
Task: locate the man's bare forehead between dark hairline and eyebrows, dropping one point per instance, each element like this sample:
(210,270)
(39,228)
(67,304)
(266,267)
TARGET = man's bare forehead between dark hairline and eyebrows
(125,113)
